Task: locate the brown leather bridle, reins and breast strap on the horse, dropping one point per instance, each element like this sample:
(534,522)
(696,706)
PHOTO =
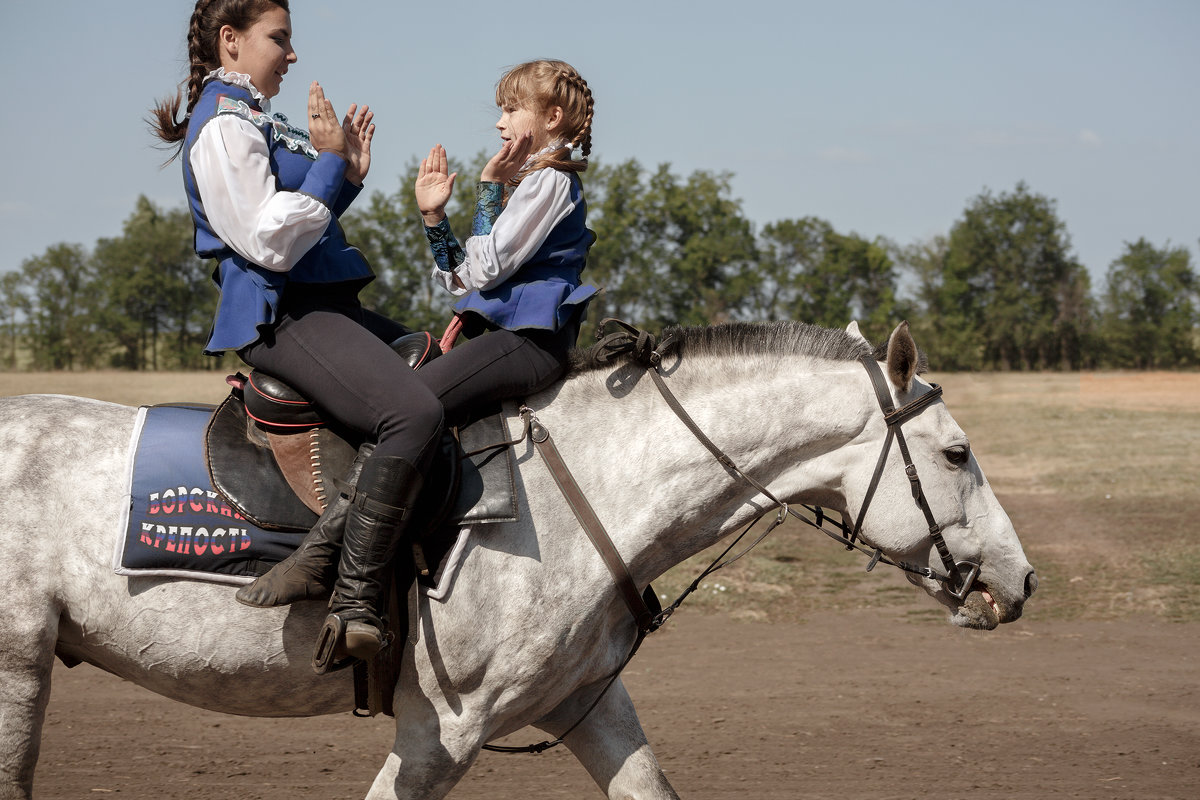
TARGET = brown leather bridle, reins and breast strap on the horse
(645,607)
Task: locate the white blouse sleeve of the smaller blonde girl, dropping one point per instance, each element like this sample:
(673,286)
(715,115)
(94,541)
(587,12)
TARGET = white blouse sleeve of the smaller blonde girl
(538,204)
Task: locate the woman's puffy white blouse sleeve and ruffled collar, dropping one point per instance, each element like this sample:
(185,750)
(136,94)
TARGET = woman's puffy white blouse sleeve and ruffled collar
(233,172)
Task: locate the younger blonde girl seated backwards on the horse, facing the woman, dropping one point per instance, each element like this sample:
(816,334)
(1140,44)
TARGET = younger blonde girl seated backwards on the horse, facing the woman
(519,272)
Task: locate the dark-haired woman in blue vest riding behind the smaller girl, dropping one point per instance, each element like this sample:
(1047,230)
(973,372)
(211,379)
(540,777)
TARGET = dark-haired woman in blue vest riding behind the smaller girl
(266,199)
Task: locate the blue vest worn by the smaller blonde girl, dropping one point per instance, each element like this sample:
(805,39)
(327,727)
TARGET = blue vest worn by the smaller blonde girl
(545,293)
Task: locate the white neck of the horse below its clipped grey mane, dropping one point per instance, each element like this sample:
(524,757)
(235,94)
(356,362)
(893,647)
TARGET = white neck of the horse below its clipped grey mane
(662,495)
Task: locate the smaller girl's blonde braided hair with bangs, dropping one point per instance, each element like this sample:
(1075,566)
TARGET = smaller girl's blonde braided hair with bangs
(542,86)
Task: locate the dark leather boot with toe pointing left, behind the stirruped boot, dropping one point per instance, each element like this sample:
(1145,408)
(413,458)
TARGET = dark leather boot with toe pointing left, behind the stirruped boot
(309,574)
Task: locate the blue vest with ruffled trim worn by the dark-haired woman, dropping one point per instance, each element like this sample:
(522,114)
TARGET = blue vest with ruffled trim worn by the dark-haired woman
(250,294)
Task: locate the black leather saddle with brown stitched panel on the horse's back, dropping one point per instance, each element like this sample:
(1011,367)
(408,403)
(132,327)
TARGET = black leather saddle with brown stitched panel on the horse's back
(278,460)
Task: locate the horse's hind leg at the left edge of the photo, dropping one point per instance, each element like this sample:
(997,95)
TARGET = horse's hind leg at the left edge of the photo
(27,658)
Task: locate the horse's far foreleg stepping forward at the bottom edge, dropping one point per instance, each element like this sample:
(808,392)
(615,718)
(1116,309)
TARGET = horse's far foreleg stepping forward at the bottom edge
(611,745)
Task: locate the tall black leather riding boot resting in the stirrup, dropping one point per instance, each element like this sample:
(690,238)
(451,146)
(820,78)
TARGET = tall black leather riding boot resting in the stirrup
(375,528)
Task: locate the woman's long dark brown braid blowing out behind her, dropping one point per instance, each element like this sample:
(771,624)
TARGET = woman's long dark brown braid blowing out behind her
(203,57)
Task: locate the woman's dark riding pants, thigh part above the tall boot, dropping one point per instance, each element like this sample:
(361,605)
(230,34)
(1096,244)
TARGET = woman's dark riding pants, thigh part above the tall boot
(337,354)
